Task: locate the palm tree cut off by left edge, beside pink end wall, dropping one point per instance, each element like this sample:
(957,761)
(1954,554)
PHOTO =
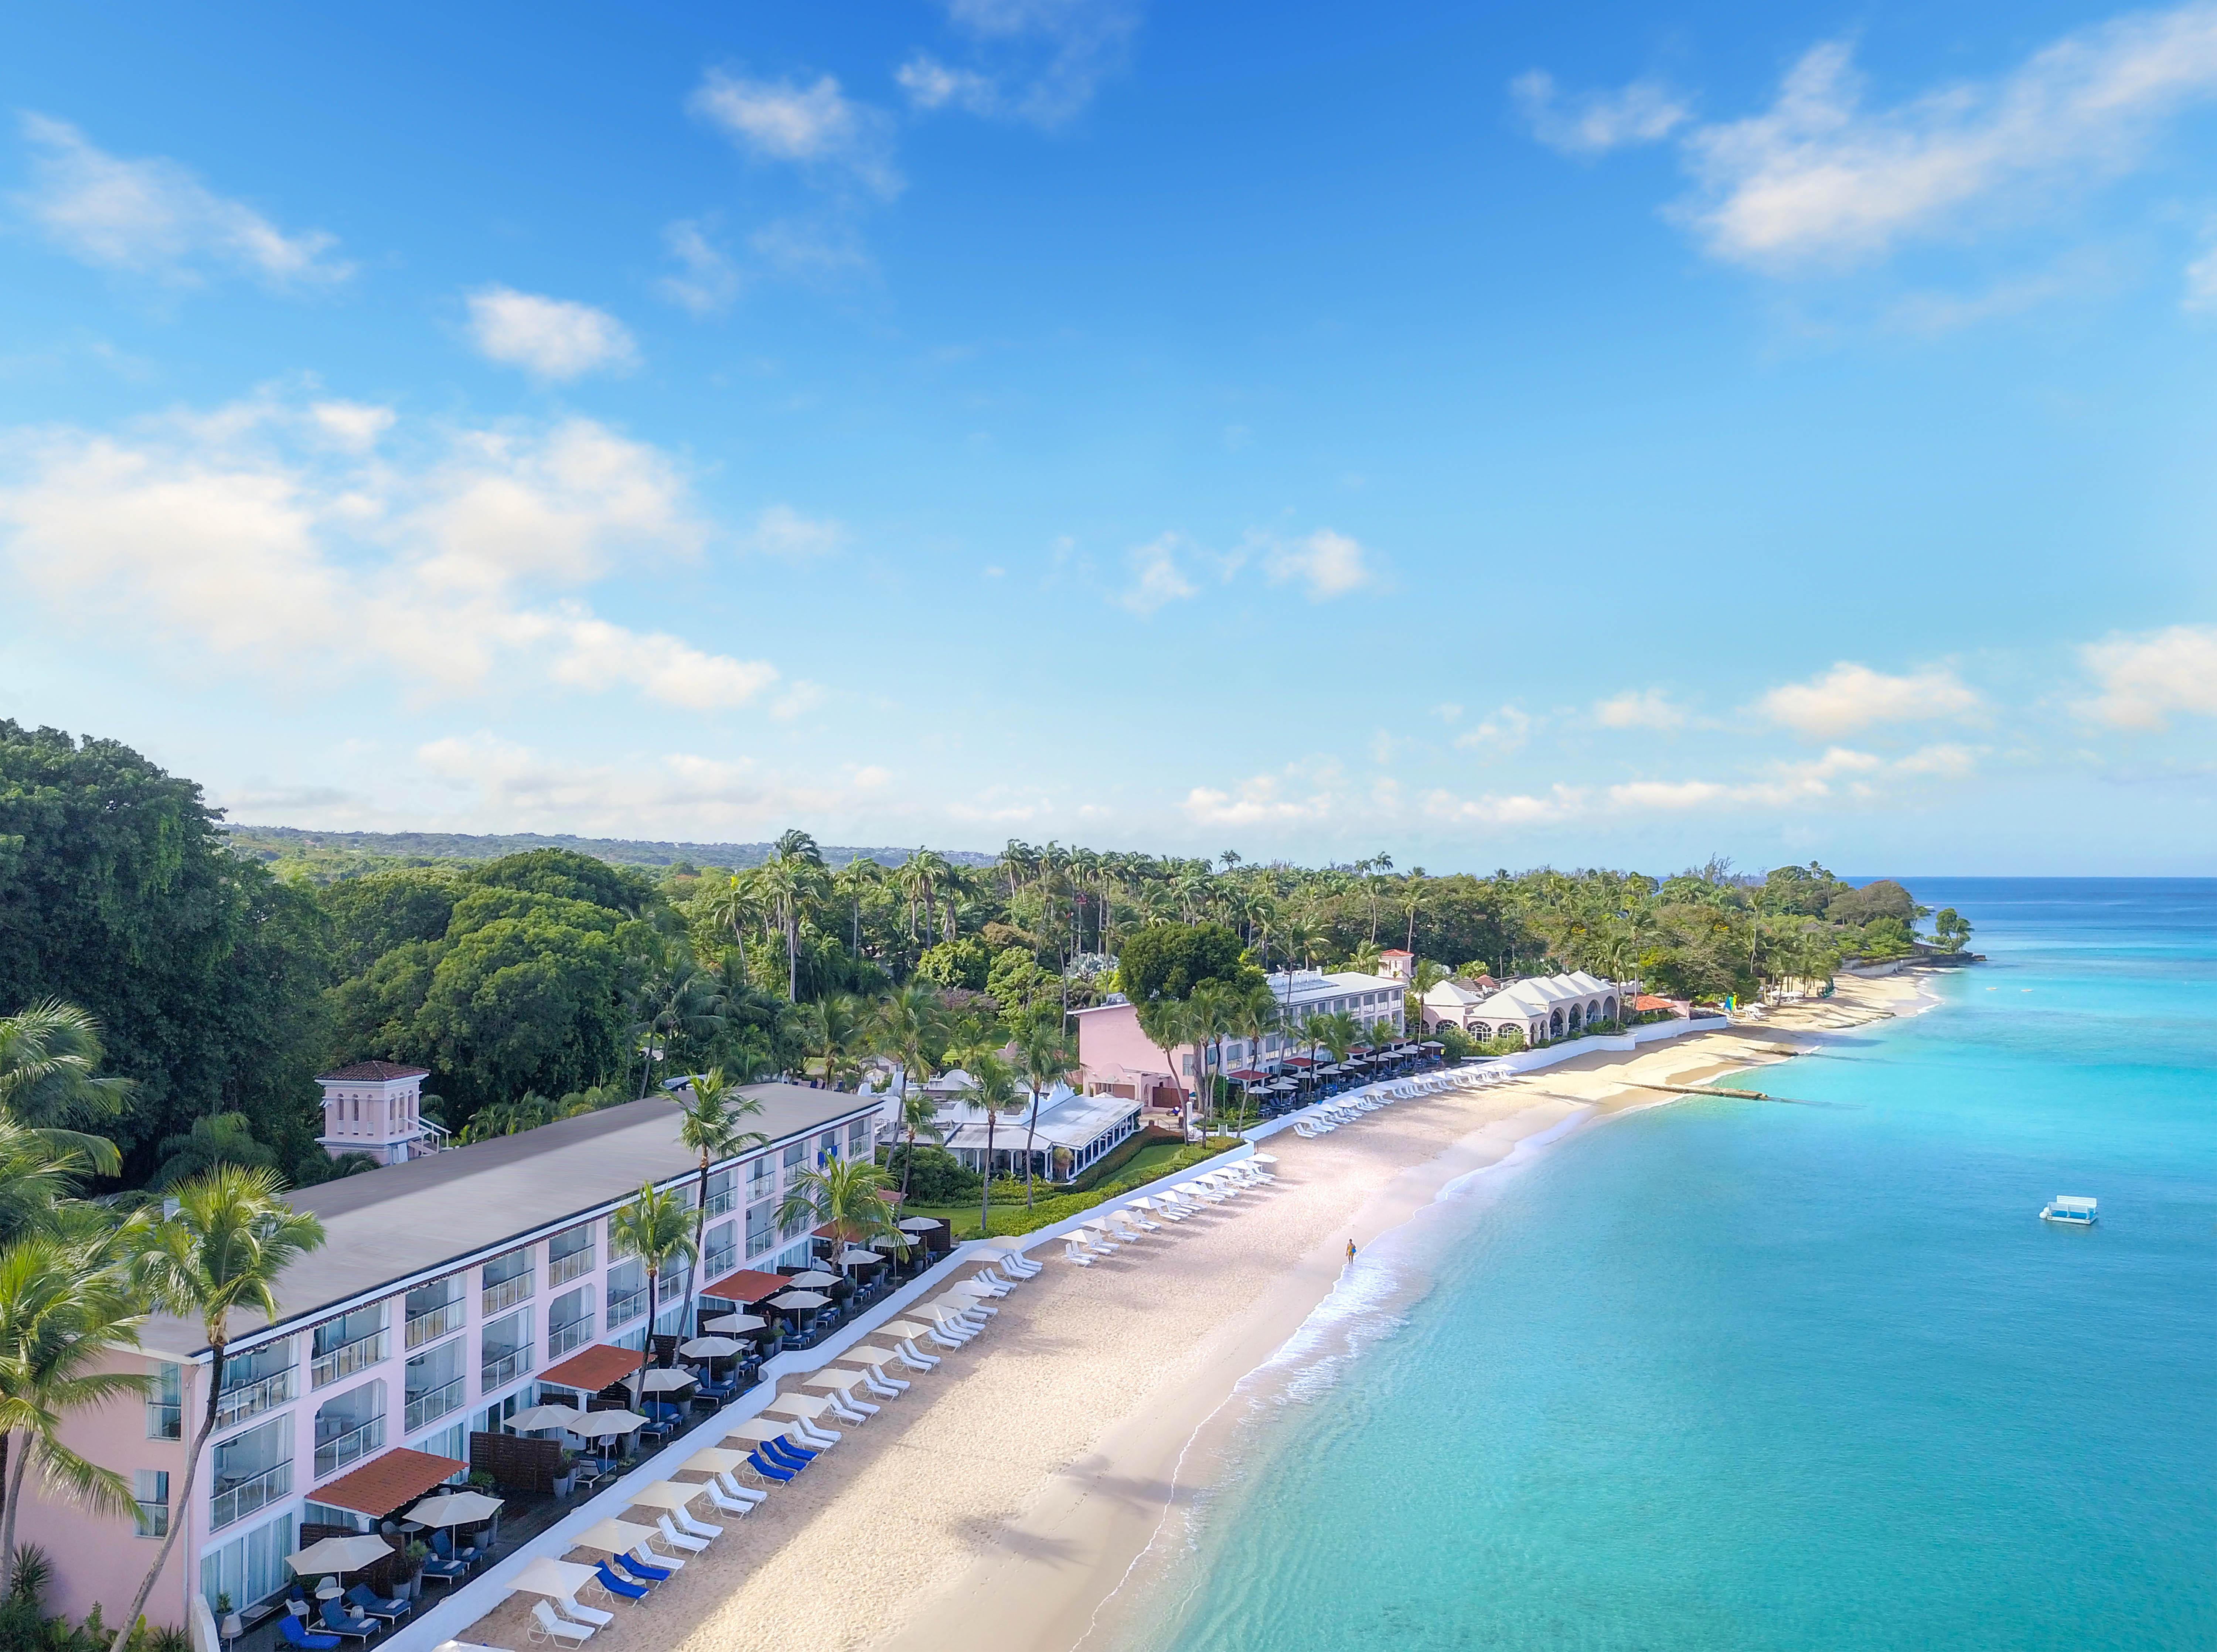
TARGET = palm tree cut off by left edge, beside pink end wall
(63,1312)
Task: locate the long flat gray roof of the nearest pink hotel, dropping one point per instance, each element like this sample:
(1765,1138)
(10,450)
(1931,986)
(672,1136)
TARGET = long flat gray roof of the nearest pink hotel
(407,1221)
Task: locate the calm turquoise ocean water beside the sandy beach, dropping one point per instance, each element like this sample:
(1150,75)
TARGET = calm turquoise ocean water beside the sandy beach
(1750,1376)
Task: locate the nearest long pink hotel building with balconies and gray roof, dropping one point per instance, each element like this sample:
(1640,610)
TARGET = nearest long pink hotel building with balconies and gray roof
(451,1289)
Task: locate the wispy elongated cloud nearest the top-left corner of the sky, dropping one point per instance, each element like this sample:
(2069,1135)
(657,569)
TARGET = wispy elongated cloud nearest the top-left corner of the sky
(154,218)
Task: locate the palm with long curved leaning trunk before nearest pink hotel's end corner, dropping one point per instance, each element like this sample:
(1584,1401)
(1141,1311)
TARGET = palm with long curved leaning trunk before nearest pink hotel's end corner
(223,1250)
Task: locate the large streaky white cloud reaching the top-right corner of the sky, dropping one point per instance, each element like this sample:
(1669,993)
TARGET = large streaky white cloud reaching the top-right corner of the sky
(1826,179)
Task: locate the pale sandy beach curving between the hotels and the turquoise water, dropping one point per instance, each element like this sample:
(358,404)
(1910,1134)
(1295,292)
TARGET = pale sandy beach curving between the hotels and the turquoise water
(1008,1493)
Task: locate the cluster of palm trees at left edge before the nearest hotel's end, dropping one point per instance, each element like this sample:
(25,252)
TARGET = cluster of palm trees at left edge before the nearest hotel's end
(81,1278)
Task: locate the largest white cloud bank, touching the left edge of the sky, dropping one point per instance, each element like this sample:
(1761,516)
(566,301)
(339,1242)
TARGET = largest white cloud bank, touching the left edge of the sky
(252,538)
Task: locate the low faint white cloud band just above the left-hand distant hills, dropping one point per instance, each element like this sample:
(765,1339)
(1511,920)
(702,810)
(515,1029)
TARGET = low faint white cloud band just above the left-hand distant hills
(677,793)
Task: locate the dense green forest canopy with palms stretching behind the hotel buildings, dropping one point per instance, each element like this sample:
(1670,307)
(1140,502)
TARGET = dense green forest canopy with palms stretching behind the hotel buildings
(549,981)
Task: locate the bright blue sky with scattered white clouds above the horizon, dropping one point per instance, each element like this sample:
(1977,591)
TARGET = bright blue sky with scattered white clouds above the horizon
(1491,440)
